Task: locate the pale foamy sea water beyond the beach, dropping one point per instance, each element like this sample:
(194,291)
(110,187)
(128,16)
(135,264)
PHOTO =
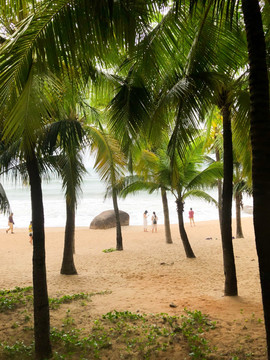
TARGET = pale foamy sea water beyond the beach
(91,202)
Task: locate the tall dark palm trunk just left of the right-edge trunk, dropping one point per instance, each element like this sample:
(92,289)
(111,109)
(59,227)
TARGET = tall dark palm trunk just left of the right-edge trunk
(226,225)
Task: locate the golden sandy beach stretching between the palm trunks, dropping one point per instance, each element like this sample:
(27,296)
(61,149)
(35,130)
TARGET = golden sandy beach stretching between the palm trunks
(148,275)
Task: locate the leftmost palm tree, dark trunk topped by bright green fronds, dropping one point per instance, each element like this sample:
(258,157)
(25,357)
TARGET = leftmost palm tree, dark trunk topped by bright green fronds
(25,119)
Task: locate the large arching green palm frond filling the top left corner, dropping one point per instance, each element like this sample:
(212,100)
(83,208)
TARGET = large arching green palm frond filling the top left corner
(61,33)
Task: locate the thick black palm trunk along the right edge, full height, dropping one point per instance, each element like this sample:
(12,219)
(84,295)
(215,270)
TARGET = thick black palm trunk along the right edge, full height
(260,140)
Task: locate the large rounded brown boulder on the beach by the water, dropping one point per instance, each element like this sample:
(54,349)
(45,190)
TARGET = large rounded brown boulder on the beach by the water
(106,220)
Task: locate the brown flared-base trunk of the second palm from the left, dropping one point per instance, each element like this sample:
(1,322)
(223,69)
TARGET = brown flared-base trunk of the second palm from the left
(68,266)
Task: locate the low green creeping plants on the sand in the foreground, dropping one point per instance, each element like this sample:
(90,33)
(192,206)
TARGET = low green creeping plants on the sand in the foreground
(125,334)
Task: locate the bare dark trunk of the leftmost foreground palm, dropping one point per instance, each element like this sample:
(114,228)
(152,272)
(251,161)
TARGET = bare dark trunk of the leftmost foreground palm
(41,303)
